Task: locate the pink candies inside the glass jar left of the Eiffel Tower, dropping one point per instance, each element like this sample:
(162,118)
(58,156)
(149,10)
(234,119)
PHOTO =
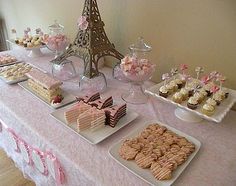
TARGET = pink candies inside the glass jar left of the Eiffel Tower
(57,43)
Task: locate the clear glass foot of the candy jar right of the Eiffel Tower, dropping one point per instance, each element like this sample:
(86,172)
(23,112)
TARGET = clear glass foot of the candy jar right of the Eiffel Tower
(135,94)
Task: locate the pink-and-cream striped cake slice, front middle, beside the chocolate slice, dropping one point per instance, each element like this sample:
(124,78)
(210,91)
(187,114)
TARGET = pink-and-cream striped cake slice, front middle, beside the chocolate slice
(91,119)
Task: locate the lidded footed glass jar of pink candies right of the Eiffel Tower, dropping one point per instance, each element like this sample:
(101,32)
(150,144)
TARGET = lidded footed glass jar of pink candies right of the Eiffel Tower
(137,68)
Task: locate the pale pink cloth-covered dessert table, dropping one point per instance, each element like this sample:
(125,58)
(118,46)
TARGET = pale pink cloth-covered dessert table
(86,164)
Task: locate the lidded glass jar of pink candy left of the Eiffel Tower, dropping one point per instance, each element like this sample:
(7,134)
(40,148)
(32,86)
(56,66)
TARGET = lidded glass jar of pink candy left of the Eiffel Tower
(56,41)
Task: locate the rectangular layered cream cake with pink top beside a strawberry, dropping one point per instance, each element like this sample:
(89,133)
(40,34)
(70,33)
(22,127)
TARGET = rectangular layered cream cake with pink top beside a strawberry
(44,85)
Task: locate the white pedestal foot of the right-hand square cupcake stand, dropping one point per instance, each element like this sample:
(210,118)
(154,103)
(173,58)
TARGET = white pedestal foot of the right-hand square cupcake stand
(187,116)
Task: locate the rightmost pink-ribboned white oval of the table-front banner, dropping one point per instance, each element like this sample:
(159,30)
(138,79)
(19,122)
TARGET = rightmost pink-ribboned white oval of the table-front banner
(55,168)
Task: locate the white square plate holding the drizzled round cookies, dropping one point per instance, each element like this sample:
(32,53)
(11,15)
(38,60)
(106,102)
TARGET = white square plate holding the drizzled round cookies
(146,174)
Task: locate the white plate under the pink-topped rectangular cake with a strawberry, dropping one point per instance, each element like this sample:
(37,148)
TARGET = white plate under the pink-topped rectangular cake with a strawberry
(68,98)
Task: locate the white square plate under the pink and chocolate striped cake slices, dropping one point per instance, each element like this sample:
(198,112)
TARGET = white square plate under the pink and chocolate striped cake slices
(94,137)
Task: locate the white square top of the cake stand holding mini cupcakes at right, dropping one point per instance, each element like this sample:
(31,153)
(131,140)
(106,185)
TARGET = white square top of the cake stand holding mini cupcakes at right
(220,110)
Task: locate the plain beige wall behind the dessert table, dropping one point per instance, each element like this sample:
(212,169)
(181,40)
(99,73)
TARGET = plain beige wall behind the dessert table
(196,32)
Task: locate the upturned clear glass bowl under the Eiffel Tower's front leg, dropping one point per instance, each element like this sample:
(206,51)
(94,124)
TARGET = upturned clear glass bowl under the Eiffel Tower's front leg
(95,84)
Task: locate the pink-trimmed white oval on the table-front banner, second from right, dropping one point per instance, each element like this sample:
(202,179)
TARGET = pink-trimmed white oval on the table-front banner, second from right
(38,155)
